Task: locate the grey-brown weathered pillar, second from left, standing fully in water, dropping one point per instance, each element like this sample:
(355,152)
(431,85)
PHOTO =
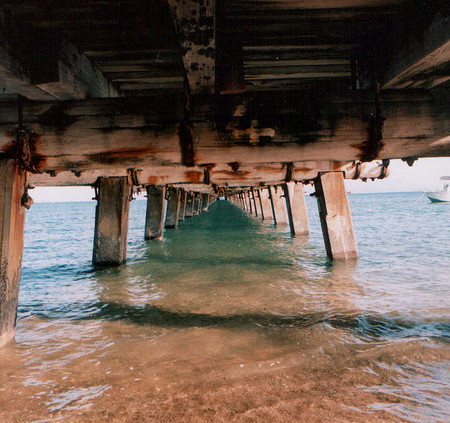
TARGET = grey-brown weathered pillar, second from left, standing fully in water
(111,221)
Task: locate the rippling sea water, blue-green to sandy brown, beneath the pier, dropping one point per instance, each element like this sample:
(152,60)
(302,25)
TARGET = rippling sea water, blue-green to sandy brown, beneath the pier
(229,319)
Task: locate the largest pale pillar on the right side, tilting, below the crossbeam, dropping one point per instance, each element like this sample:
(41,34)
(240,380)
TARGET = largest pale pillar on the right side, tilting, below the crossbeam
(335,217)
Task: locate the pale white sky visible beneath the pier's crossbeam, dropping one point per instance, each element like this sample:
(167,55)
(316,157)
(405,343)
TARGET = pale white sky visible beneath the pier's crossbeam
(422,176)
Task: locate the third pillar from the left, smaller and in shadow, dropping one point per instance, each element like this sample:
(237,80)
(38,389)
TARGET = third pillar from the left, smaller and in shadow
(156,210)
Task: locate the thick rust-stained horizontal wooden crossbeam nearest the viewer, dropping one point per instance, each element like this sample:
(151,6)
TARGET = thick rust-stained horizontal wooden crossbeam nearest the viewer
(107,134)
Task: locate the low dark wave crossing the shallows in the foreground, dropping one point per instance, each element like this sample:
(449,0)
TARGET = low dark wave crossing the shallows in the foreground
(365,326)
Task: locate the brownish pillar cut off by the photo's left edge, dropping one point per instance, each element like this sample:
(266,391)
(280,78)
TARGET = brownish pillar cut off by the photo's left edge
(12,220)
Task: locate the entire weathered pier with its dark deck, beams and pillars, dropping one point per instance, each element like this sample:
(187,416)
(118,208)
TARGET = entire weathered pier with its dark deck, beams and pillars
(196,100)
